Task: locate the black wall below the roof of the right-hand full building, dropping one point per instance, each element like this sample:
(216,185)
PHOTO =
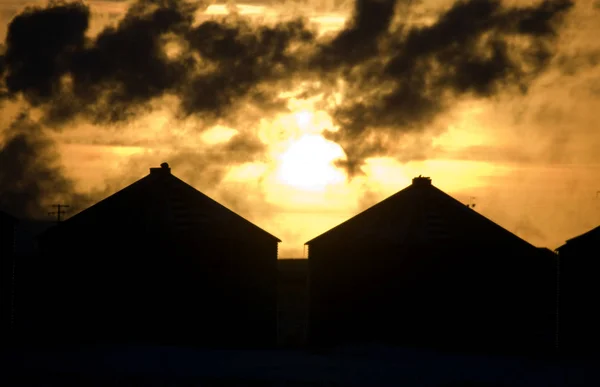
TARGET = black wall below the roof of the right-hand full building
(458,297)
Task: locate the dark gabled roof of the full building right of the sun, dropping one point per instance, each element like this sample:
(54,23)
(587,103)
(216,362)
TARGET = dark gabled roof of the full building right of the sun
(421,213)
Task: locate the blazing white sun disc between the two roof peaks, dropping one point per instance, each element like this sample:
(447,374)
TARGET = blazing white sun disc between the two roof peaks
(308,163)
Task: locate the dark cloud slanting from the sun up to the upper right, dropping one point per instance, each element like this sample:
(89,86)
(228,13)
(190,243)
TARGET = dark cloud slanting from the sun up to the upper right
(475,48)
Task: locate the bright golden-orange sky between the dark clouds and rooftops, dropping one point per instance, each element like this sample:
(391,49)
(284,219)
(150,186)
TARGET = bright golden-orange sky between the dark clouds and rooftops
(530,162)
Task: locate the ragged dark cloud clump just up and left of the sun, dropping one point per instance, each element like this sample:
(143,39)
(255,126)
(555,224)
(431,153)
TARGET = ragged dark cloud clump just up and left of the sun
(243,57)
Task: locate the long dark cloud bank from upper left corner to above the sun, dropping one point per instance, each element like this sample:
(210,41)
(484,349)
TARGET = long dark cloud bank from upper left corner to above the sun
(112,77)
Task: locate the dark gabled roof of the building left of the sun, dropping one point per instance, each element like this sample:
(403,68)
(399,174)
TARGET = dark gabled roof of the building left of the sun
(162,197)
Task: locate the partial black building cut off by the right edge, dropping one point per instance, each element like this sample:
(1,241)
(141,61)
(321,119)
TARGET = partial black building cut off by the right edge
(579,314)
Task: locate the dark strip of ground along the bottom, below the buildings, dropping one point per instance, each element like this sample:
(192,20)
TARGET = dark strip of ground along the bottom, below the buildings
(165,366)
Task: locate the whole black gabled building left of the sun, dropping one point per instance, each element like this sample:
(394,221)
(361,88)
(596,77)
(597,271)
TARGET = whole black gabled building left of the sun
(159,263)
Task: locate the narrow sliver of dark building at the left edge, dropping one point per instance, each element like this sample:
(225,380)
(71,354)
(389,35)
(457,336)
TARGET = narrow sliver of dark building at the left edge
(8,225)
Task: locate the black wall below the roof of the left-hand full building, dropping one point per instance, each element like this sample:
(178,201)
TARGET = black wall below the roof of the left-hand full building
(133,284)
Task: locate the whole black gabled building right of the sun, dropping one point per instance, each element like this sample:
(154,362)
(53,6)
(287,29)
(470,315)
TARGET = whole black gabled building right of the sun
(423,269)
